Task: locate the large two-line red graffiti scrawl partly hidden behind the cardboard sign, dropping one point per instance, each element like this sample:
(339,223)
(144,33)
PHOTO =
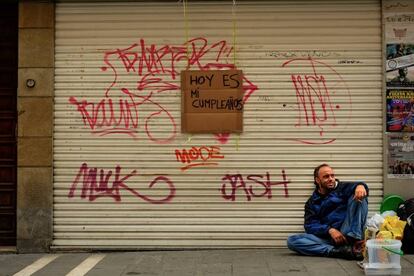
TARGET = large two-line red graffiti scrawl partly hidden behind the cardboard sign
(128,105)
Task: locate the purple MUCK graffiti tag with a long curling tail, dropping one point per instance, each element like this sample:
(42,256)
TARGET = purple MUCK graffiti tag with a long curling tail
(92,188)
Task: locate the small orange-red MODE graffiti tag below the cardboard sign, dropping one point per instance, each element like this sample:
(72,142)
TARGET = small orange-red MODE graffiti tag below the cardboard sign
(198,156)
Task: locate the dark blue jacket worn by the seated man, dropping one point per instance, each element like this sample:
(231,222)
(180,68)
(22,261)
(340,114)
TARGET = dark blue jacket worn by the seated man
(325,211)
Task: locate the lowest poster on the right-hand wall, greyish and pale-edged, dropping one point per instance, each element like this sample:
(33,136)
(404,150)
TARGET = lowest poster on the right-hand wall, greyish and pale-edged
(401,156)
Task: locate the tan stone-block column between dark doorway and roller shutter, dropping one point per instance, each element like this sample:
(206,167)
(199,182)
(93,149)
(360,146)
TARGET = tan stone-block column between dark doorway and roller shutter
(35,126)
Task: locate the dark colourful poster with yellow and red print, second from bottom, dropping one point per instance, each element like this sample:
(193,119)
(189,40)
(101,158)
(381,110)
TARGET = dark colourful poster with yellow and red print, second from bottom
(400,110)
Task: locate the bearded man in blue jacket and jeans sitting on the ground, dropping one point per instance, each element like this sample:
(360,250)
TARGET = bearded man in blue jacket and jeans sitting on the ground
(335,216)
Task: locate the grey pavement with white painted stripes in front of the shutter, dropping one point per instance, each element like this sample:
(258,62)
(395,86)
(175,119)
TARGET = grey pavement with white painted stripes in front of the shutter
(182,263)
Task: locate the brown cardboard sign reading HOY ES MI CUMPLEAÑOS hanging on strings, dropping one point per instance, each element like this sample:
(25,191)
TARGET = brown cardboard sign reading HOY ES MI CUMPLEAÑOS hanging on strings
(212,101)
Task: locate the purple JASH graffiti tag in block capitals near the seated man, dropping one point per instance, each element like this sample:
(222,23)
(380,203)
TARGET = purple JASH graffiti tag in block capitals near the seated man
(236,182)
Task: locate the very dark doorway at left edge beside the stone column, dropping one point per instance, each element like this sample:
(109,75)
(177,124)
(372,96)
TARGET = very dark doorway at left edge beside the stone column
(8,122)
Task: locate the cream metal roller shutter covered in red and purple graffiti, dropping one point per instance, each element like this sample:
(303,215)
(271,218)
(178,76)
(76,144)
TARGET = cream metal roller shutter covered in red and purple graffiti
(124,175)
